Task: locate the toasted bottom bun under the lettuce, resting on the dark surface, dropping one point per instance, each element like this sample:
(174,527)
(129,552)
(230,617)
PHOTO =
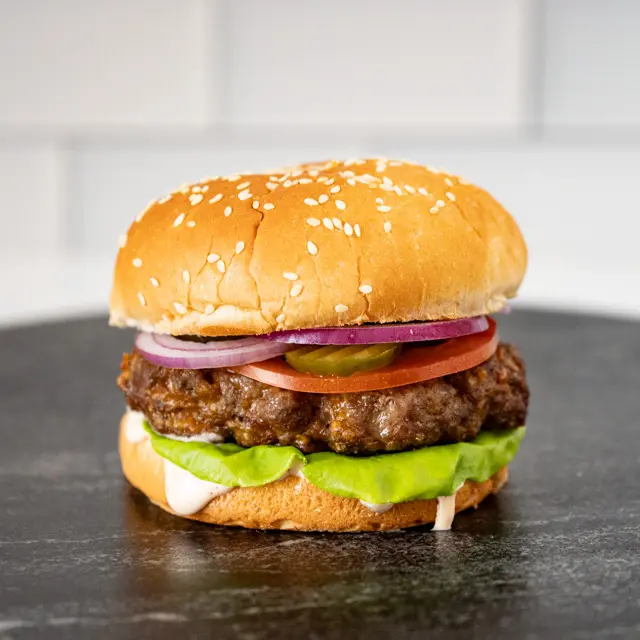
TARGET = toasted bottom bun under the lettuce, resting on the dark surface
(292,503)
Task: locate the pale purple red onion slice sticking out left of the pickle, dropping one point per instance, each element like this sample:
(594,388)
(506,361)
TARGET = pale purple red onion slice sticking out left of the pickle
(226,353)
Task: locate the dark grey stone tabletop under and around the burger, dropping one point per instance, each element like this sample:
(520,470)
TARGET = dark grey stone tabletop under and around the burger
(555,555)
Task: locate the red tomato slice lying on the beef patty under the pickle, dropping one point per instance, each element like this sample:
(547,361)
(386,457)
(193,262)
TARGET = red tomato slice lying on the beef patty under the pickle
(415,364)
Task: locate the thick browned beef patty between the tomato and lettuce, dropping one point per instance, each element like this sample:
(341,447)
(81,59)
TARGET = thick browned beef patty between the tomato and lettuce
(234,408)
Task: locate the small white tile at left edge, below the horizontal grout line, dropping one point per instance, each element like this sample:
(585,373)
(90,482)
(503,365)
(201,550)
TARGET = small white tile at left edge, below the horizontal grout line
(31,213)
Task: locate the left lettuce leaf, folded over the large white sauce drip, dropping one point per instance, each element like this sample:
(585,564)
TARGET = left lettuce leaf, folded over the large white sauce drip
(228,464)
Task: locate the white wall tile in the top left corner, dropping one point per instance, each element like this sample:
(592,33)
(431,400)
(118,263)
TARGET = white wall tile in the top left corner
(73,63)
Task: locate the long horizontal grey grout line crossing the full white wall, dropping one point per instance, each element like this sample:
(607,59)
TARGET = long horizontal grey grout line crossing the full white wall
(259,137)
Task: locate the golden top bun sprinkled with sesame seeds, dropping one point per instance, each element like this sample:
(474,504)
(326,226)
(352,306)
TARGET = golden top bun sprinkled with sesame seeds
(324,244)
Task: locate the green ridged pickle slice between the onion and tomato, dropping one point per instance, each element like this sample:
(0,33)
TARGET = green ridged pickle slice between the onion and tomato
(342,361)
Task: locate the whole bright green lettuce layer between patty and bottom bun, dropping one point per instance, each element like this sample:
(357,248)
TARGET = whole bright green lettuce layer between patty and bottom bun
(425,473)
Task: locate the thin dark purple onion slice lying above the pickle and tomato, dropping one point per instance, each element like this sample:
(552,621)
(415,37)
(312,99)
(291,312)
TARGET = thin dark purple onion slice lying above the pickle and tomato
(376,334)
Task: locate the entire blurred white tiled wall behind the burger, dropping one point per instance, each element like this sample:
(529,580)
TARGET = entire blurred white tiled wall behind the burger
(107,104)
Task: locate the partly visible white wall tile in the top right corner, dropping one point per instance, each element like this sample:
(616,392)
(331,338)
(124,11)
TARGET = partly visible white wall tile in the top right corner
(592,63)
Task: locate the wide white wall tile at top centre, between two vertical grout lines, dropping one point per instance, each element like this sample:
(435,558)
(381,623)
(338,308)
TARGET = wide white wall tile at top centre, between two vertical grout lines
(415,62)
